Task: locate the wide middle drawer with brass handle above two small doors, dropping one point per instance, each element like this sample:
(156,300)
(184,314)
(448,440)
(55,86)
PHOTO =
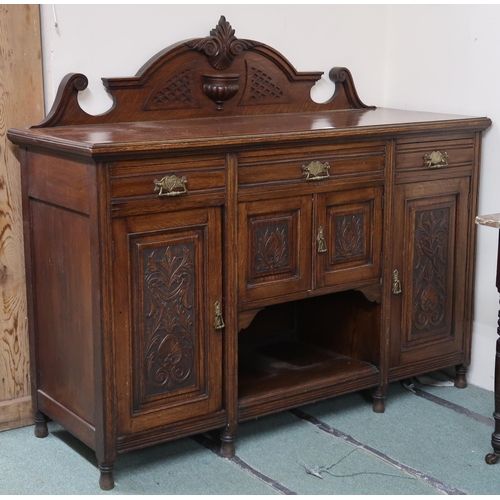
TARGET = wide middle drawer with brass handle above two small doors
(297,165)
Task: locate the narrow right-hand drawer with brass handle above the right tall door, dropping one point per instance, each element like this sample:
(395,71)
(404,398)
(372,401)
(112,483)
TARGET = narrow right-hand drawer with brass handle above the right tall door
(432,155)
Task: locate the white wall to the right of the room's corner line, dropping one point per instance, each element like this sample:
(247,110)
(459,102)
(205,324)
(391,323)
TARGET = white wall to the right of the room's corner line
(446,58)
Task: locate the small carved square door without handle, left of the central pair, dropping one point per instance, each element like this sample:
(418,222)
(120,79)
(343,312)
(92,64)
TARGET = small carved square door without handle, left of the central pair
(274,247)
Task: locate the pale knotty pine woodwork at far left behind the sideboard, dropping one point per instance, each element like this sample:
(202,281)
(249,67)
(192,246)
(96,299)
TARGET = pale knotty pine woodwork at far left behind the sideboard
(21,103)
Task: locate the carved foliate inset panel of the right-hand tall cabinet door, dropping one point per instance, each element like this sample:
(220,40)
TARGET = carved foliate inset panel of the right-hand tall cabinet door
(432,233)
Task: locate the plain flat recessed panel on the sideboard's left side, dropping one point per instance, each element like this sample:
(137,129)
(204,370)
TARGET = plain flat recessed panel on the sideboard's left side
(63,307)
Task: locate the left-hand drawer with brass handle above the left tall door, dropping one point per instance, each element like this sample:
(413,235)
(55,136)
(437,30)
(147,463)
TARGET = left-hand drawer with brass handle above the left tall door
(168,179)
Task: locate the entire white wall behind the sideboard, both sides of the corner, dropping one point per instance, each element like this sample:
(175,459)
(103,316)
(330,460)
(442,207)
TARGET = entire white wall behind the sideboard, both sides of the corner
(443,58)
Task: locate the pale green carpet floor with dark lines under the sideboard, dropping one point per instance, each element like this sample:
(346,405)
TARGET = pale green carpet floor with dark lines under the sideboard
(417,447)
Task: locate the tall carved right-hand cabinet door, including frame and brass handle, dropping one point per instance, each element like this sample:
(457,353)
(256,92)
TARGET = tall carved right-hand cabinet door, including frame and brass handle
(429,279)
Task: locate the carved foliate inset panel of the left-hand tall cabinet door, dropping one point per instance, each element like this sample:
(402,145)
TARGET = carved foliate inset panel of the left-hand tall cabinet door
(169,318)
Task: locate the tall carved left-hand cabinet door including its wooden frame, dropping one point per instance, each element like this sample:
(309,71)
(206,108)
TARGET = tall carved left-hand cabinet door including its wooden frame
(168,353)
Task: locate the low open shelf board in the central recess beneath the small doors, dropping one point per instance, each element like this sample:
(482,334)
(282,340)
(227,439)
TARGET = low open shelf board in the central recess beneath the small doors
(279,375)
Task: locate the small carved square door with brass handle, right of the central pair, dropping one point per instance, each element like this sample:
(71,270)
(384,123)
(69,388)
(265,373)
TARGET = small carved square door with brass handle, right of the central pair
(348,234)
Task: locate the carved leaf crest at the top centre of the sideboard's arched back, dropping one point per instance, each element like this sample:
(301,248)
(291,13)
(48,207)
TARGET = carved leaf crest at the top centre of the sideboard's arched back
(221,47)
